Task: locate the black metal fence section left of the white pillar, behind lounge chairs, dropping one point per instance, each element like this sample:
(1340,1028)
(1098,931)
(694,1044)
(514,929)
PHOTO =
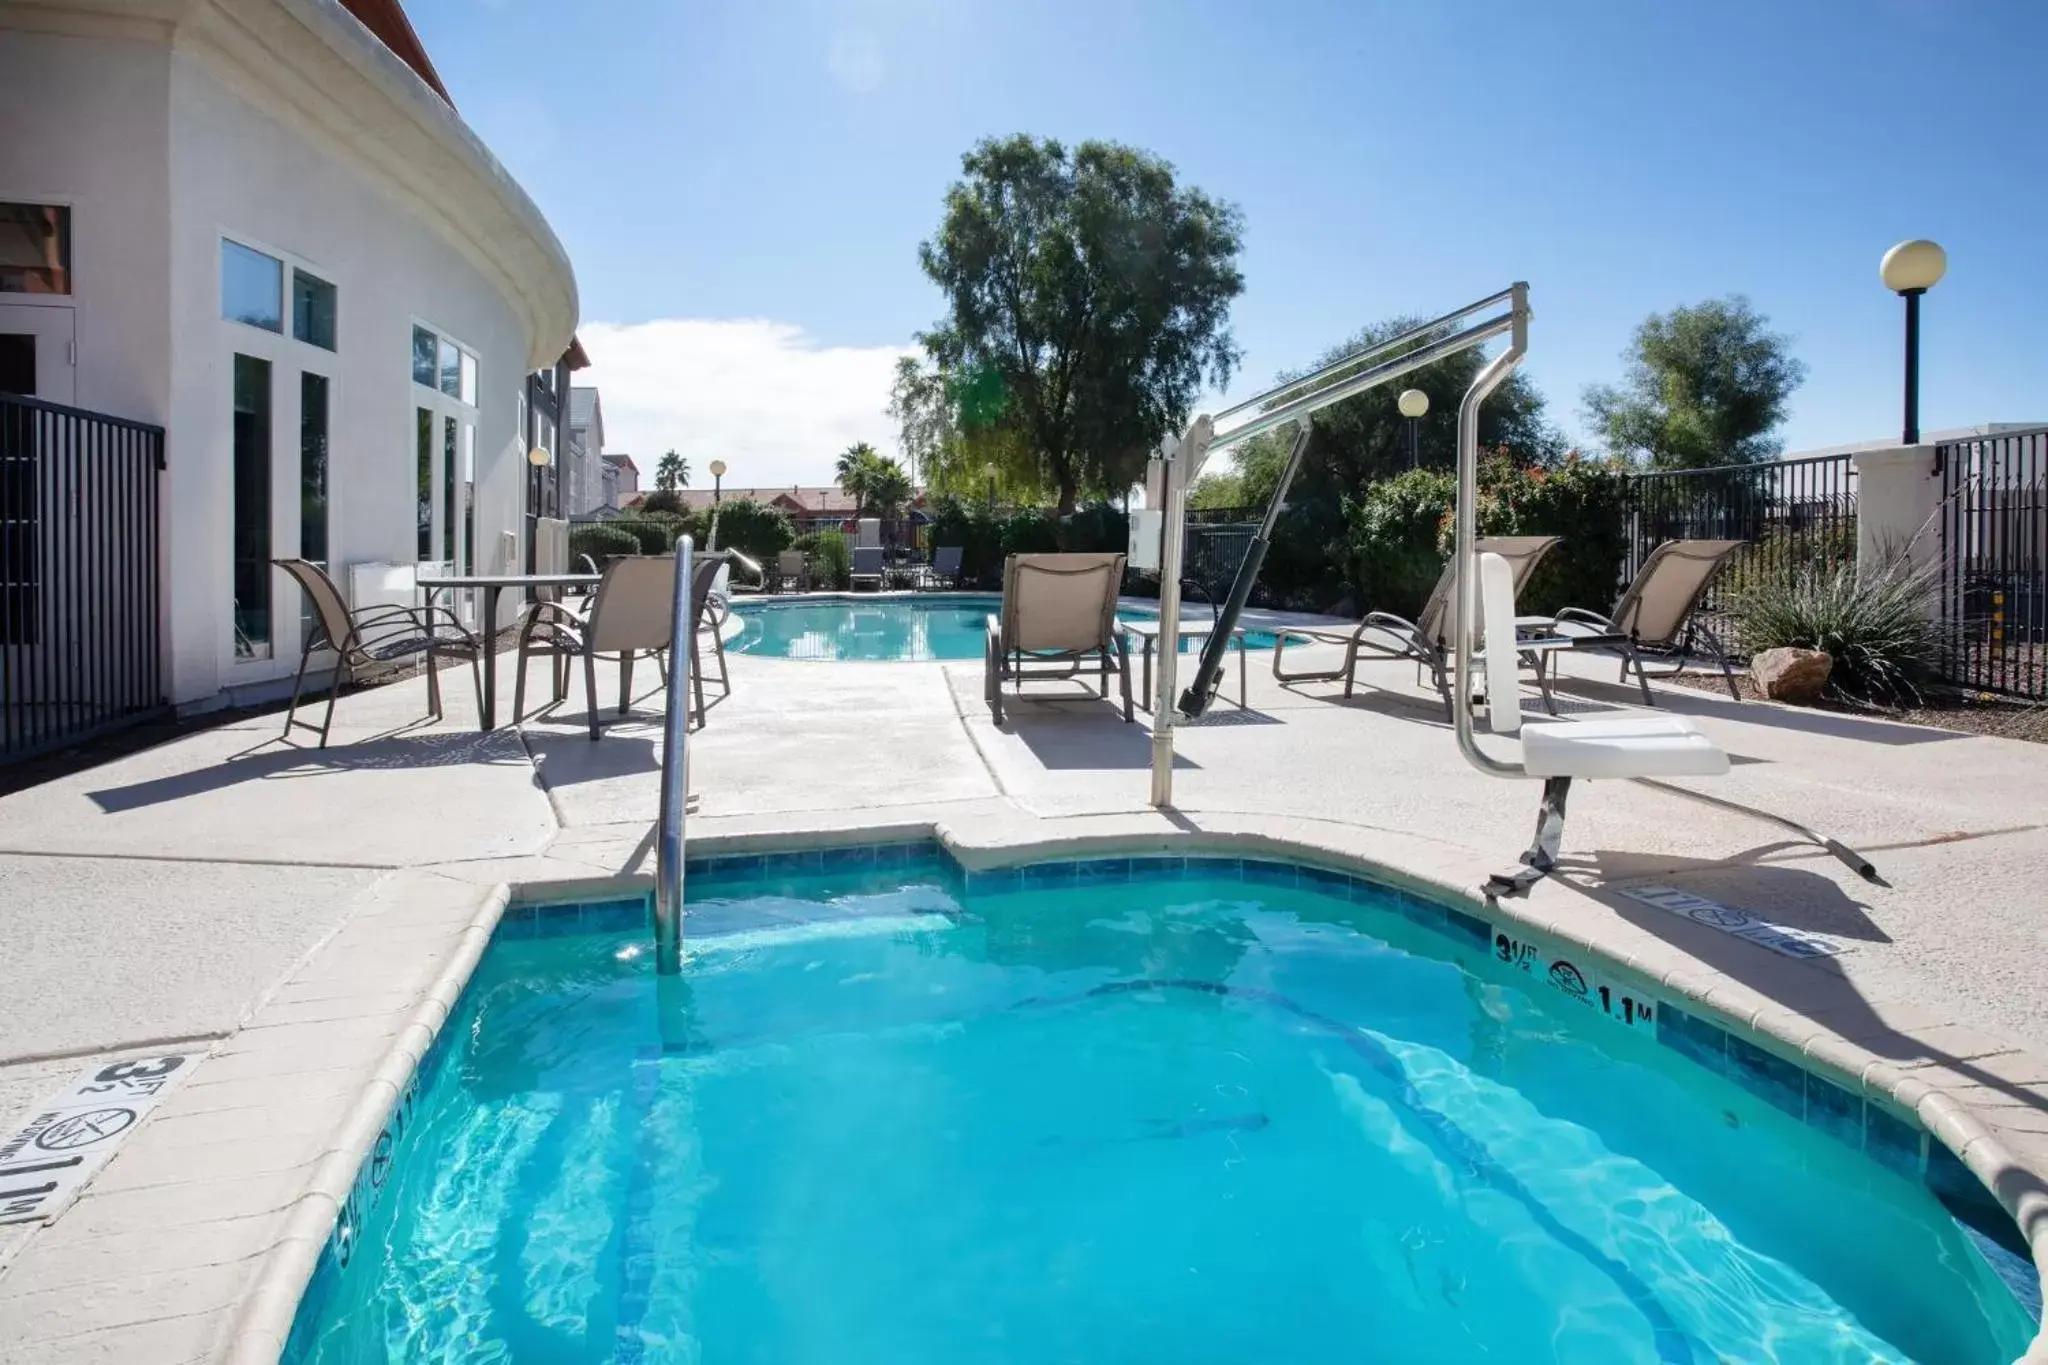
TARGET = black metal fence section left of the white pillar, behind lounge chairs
(1793,515)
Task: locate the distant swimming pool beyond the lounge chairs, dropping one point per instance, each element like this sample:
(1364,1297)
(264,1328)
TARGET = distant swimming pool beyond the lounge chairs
(898,627)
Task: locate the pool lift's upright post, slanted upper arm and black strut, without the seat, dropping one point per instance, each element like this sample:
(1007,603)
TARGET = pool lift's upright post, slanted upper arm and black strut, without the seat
(1181,464)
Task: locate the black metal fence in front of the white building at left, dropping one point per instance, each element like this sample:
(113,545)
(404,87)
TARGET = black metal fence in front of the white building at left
(79,574)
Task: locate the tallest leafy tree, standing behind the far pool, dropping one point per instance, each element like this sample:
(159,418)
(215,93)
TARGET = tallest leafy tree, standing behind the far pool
(1089,300)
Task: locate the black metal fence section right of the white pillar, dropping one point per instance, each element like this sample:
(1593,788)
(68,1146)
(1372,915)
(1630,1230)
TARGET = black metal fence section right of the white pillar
(1996,564)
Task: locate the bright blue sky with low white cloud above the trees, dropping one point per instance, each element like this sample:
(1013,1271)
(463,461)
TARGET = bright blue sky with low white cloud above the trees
(742,187)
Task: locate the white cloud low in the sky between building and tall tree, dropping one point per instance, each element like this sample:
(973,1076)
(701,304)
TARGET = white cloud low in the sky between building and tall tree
(757,394)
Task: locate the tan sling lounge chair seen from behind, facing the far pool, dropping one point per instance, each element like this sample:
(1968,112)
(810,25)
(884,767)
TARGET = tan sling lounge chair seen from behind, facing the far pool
(1060,613)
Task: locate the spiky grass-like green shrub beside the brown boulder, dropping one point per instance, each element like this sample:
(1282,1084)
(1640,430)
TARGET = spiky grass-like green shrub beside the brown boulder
(1875,623)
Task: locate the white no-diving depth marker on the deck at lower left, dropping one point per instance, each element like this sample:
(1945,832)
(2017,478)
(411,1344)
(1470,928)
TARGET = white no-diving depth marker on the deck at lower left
(75,1133)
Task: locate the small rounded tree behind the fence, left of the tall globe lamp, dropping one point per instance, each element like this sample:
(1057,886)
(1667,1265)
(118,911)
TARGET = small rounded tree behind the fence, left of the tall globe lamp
(1705,386)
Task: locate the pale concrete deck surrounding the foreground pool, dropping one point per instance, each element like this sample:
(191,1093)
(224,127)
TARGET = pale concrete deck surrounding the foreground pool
(302,918)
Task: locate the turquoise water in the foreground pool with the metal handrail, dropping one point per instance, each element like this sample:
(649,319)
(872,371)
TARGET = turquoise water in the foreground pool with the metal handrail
(880,1118)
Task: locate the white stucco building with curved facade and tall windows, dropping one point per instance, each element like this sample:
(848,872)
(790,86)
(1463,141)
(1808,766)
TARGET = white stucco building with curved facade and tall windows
(261,226)
